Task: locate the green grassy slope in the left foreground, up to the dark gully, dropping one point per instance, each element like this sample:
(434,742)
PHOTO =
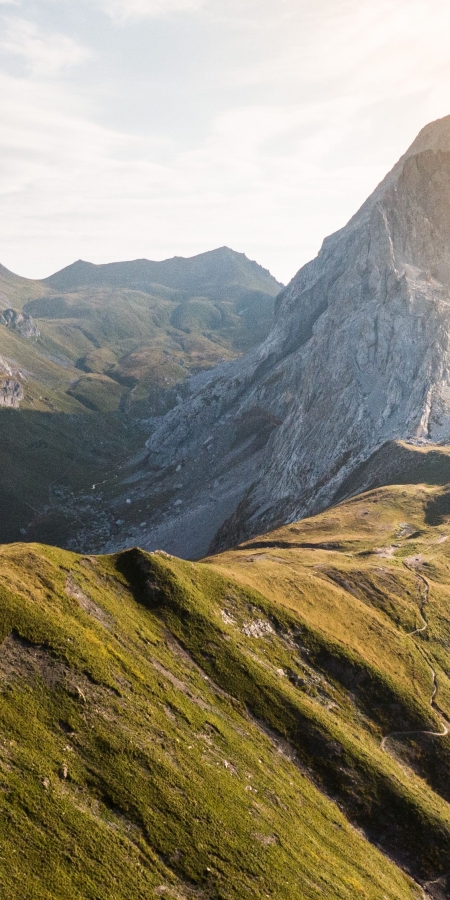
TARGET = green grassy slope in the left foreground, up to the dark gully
(127,772)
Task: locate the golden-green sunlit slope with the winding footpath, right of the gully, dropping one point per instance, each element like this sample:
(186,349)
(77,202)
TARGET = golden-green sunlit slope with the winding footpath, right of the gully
(368,586)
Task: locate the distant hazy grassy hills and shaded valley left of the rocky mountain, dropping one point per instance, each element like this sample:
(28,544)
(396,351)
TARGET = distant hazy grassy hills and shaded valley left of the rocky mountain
(107,353)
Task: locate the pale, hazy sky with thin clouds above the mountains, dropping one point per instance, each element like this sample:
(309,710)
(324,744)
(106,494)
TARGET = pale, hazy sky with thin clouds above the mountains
(155,128)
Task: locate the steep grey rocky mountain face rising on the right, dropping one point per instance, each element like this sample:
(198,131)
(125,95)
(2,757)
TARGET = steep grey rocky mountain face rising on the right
(358,356)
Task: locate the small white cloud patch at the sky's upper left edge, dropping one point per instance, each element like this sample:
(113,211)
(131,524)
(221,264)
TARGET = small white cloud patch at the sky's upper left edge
(43,53)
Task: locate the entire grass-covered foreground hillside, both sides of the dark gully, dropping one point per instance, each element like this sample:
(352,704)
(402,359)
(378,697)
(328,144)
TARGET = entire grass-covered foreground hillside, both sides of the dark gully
(270,722)
